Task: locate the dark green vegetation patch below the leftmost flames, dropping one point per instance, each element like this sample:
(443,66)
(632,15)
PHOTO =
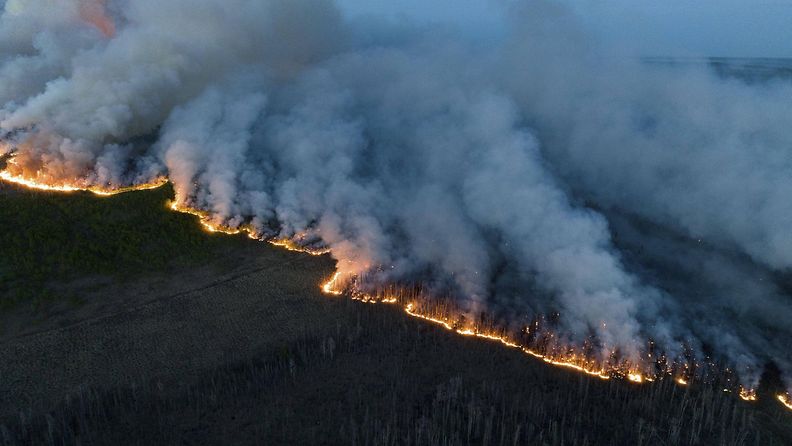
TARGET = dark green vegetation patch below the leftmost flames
(51,240)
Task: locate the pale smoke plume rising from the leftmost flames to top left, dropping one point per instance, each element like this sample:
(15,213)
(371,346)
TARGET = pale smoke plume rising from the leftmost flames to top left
(83,123)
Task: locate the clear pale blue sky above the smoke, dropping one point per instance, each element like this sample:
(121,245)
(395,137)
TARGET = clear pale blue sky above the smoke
(749,28)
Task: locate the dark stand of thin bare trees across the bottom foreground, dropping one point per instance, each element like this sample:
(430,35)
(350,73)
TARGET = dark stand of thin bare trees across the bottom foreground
(386,379)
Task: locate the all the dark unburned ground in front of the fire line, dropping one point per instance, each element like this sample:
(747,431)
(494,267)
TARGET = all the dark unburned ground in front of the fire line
(223,340)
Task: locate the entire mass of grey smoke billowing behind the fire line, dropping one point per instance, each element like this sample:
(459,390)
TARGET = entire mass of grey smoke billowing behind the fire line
(526,176)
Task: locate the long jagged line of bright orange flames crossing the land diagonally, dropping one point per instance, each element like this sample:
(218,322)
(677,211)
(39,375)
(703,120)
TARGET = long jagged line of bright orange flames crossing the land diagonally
(537,338)
